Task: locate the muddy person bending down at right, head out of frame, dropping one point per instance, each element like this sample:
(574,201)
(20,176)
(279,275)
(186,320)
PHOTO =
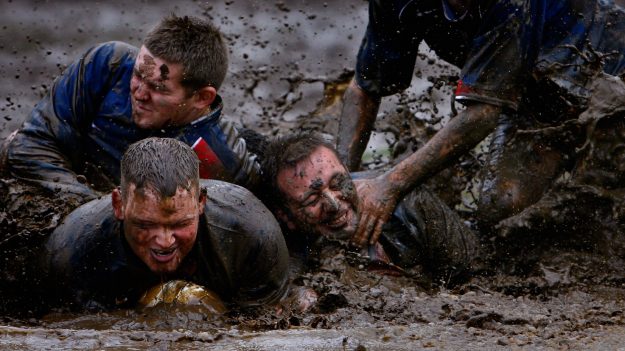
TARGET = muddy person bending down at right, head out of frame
(526,65)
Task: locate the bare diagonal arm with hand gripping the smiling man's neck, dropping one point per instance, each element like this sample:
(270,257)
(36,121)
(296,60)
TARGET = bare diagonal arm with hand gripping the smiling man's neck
(379,196)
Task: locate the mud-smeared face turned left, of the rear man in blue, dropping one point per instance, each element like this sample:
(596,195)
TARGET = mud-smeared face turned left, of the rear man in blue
(157,96)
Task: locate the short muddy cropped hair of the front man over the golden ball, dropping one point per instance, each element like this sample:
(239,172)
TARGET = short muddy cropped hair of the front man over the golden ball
(160,164)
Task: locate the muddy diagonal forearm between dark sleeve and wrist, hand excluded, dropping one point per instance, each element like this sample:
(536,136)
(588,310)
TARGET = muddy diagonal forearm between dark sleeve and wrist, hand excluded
(457,137)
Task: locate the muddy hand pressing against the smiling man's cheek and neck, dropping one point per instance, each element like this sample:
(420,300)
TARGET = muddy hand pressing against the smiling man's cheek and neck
(377,203)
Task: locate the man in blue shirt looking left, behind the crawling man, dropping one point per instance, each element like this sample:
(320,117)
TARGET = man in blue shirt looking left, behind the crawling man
(116,94)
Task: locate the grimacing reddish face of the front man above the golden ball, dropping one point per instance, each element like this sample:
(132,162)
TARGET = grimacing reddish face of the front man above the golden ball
(160,231)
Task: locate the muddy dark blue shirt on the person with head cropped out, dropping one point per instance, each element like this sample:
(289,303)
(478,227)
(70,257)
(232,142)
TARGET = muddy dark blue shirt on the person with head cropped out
(509,50)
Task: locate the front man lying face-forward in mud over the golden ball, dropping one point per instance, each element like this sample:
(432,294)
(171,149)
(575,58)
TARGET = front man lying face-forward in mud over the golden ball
(163,224)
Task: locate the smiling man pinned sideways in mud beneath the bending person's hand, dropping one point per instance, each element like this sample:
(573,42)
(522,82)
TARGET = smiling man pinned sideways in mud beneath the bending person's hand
(312,194)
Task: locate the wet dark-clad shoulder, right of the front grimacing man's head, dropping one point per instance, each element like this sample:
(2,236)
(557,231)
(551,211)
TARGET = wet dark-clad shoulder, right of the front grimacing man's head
(246,240)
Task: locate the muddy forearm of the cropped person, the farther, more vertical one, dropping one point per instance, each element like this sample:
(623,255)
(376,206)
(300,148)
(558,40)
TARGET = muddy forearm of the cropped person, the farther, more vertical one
(355,124)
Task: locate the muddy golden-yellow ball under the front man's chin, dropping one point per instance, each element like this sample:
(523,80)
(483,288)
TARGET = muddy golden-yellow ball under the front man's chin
(180,292)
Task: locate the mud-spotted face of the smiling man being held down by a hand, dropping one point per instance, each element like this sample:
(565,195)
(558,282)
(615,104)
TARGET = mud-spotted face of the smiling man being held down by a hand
(320,196)
